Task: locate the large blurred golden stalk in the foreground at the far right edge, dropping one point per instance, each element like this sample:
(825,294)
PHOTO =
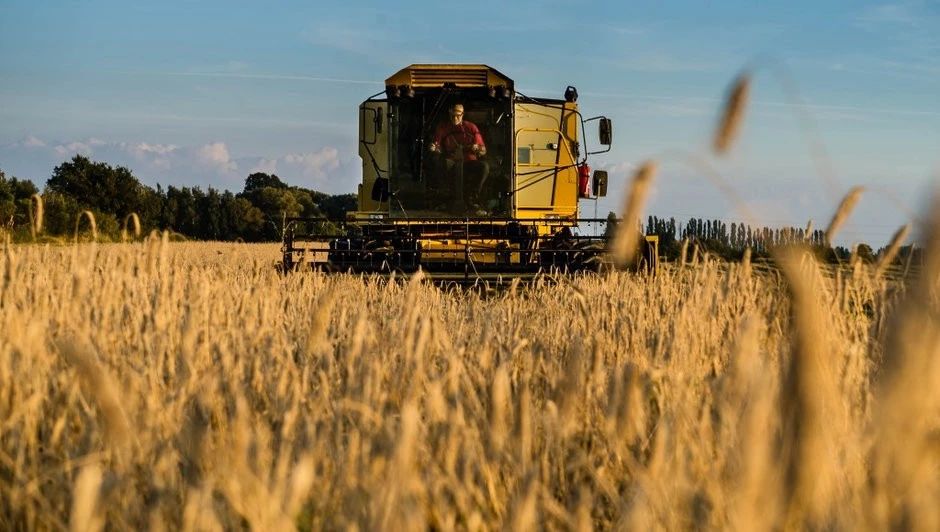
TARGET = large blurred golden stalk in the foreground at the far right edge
(906,454)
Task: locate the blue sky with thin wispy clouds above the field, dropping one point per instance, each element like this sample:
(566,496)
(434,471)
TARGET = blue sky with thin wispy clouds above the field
(202,93)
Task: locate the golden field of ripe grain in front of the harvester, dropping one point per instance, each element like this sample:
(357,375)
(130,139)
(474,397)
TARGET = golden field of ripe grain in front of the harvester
(165,386)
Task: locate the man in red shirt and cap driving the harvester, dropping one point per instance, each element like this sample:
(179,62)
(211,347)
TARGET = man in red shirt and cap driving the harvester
(460,143)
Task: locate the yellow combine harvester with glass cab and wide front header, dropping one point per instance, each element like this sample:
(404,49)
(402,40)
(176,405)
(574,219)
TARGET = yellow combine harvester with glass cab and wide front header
(465,178)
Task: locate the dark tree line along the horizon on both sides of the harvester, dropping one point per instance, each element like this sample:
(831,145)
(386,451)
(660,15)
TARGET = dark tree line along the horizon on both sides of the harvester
(113,194)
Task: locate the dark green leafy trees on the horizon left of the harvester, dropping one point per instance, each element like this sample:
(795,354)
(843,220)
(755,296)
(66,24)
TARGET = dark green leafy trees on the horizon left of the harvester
(113,194)
